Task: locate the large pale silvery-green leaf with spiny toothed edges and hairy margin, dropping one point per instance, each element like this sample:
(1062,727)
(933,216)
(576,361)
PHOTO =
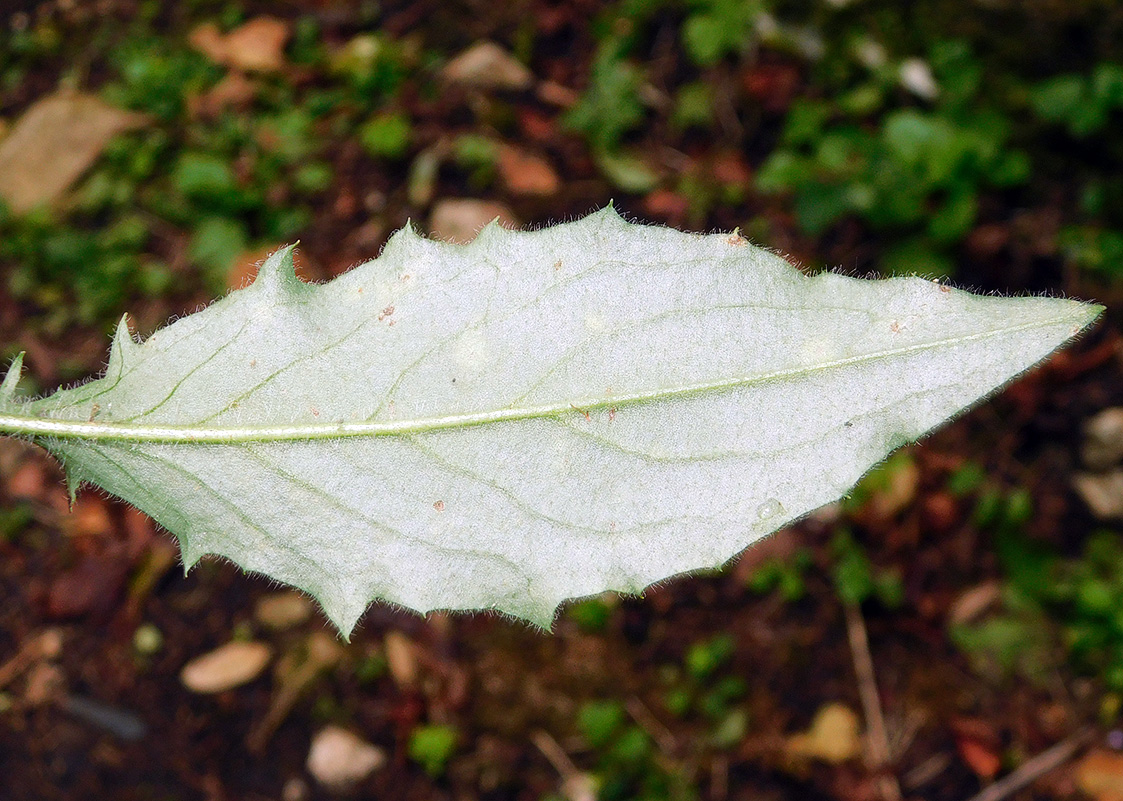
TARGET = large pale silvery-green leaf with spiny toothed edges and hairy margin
(529,418)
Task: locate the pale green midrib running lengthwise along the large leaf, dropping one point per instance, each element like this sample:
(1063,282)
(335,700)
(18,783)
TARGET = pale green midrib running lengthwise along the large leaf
(108,432)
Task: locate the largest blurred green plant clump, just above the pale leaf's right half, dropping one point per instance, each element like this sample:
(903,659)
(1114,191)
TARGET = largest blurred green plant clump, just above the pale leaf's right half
(915,175)
